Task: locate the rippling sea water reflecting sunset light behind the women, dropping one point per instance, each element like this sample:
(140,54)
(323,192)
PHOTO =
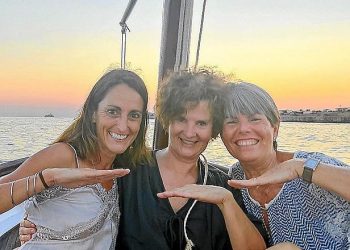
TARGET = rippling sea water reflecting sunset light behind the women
(23,136)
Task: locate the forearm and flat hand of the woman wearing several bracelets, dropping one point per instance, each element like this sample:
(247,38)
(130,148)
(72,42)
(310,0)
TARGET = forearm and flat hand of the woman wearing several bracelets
(15,192)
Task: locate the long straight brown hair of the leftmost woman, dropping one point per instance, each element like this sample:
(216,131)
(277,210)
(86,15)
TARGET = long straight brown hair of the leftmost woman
(81,134)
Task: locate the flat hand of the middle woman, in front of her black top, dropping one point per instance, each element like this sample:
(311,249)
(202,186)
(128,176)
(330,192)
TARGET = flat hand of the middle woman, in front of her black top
(205,193)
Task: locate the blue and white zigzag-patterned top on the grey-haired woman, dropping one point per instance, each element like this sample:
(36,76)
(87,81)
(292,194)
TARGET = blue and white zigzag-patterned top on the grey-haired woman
(306,215)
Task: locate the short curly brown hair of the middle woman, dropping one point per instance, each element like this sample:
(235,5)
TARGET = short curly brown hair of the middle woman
(184,90)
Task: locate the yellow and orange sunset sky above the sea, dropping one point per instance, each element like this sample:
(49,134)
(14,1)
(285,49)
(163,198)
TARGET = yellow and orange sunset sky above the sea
(53,51)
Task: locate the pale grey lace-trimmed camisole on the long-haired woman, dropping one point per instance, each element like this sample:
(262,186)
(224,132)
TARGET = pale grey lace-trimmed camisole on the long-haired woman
(74,218)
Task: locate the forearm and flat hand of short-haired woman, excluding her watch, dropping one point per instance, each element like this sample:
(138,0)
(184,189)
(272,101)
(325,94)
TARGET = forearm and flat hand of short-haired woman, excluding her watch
(327,176)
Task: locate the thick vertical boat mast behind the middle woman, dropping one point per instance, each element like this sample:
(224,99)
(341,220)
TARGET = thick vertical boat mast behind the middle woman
(175,49)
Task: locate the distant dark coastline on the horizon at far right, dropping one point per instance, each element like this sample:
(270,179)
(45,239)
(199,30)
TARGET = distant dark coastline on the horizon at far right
(339,115)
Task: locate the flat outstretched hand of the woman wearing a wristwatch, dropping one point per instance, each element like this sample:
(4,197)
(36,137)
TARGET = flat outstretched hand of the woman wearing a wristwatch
(281,173)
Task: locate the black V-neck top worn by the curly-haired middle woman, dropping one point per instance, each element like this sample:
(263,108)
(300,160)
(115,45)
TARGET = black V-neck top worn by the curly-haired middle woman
(148,222)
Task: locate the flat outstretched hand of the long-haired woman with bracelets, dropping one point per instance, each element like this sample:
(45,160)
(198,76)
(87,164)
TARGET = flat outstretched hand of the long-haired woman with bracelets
(76,177)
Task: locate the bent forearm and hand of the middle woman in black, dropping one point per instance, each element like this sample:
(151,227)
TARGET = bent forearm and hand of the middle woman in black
(242,233)
